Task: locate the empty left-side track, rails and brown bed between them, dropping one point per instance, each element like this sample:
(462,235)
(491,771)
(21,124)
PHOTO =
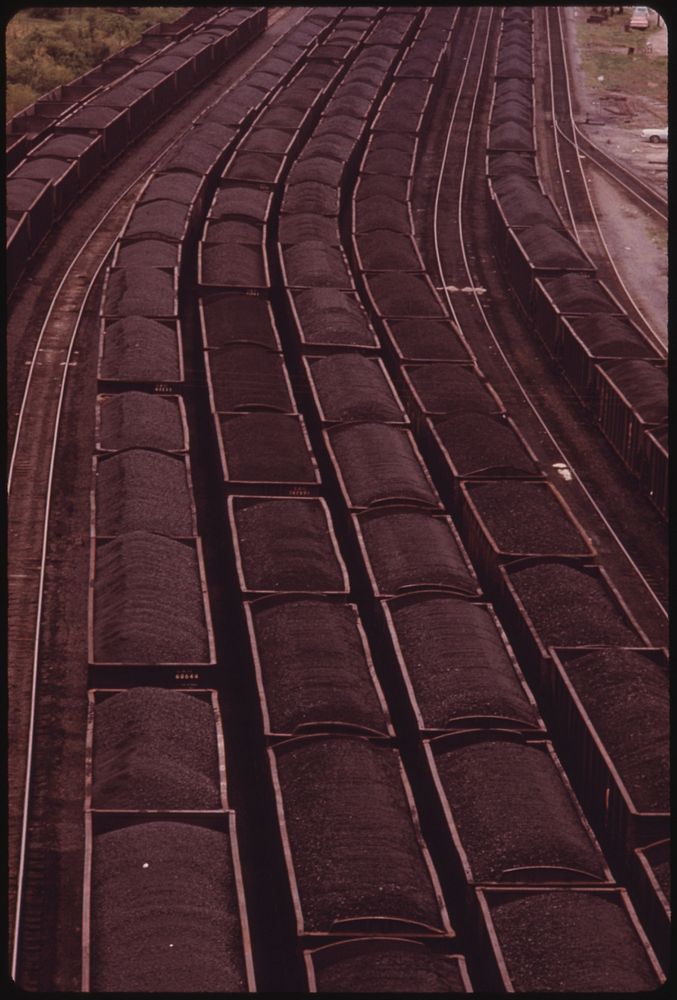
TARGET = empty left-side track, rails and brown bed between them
(64,327)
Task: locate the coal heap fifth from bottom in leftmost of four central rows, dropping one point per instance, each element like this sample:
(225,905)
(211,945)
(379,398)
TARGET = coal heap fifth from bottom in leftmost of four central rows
(140,420)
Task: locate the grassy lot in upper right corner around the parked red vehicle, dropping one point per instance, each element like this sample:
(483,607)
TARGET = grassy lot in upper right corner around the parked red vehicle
(604,52)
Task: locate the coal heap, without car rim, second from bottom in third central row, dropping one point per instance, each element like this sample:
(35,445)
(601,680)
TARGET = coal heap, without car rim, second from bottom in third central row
(512,810)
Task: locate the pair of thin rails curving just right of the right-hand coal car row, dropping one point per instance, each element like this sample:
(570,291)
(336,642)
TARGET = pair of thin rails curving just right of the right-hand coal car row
(656,340)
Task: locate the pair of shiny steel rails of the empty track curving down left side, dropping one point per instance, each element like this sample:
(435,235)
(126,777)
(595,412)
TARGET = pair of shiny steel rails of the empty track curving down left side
(137,183)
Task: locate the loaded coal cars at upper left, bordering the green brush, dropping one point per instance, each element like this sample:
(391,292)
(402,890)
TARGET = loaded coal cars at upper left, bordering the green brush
(73,139)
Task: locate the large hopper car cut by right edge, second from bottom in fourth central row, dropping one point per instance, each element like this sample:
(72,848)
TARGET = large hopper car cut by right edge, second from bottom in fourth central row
(611,707)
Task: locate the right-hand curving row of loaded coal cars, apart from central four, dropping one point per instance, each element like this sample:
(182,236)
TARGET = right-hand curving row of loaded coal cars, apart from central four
(613,370)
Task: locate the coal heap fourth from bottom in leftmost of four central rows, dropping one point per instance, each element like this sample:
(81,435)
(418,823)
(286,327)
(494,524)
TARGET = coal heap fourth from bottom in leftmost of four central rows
(139,490)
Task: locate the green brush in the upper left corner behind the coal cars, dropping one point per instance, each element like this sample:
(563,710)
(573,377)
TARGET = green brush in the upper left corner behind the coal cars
(45,47)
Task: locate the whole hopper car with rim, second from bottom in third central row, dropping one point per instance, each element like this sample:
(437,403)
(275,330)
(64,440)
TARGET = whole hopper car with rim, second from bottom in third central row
(484,779)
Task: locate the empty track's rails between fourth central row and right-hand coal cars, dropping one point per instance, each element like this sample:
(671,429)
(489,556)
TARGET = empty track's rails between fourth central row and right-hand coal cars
(487,322)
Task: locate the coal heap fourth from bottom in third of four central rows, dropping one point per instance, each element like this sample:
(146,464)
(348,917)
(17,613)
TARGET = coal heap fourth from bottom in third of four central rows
(414,549)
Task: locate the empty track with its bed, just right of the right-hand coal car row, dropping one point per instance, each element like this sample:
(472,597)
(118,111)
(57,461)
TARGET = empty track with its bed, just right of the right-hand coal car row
(584,220)
